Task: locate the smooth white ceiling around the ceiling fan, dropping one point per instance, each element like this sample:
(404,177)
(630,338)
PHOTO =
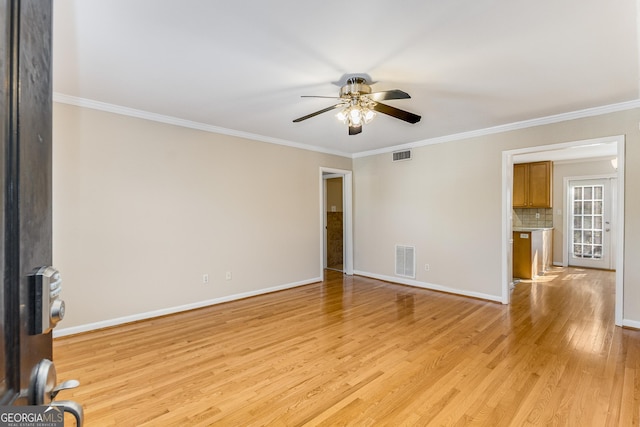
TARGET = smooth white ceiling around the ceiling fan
(241,66)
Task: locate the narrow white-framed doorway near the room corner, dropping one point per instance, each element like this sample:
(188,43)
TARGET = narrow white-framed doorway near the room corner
(336,227)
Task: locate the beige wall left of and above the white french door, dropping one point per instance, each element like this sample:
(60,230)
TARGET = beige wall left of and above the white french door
(560,172)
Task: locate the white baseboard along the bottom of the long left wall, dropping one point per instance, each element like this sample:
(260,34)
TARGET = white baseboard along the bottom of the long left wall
(177,309)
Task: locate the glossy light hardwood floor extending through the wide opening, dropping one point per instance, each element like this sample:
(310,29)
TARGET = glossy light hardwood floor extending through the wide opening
(357,351)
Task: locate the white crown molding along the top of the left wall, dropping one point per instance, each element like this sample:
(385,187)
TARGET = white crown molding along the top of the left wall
(131,112)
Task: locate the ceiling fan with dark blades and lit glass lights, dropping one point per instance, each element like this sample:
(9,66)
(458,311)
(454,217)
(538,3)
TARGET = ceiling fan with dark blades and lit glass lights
(359,105)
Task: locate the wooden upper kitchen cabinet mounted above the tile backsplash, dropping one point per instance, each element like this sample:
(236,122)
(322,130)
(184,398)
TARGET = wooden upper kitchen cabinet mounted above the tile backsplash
(532,183)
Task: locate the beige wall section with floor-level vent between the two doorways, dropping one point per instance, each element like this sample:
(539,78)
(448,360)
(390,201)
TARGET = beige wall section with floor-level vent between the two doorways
(446,202)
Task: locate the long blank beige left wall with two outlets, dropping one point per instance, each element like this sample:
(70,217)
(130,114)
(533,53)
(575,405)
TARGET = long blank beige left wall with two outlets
(142,210)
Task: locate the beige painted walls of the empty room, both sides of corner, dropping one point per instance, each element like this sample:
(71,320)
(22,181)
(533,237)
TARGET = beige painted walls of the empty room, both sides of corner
(143,209)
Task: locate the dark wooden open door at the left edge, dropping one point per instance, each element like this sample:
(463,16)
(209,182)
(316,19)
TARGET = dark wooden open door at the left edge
(25,183)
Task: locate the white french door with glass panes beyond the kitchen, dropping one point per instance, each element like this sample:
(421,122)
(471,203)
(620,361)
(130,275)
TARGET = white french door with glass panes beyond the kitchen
(591,211)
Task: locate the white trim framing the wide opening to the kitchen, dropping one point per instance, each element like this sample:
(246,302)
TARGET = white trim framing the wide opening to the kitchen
(507,185)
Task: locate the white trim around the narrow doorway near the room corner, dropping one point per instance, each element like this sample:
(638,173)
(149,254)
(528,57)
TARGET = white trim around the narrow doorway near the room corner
(347,195)
